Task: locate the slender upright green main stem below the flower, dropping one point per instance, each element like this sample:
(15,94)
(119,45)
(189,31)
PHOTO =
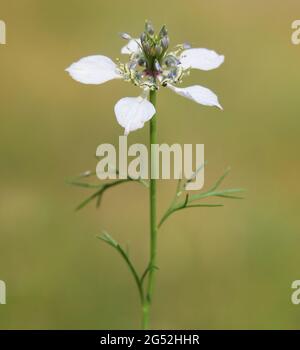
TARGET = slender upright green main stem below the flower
(153,220)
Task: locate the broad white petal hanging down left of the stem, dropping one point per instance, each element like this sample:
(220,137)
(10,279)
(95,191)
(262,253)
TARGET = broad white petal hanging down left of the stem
(133,112)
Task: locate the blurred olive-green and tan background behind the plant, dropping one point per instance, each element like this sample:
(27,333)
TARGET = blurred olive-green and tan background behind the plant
(228,267)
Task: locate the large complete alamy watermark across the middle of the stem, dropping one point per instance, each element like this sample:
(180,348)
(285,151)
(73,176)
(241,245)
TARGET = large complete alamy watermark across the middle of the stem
(138,167)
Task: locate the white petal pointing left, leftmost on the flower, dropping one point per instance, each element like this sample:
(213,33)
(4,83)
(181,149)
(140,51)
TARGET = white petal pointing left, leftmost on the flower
(94,70)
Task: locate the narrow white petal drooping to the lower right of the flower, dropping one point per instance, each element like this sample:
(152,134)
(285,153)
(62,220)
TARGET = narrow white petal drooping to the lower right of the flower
(198,94)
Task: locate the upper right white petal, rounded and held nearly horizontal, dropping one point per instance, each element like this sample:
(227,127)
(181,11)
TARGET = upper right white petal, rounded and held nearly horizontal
(201,59)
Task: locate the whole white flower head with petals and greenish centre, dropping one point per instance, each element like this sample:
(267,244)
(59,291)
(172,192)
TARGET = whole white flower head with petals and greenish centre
(150,67)
